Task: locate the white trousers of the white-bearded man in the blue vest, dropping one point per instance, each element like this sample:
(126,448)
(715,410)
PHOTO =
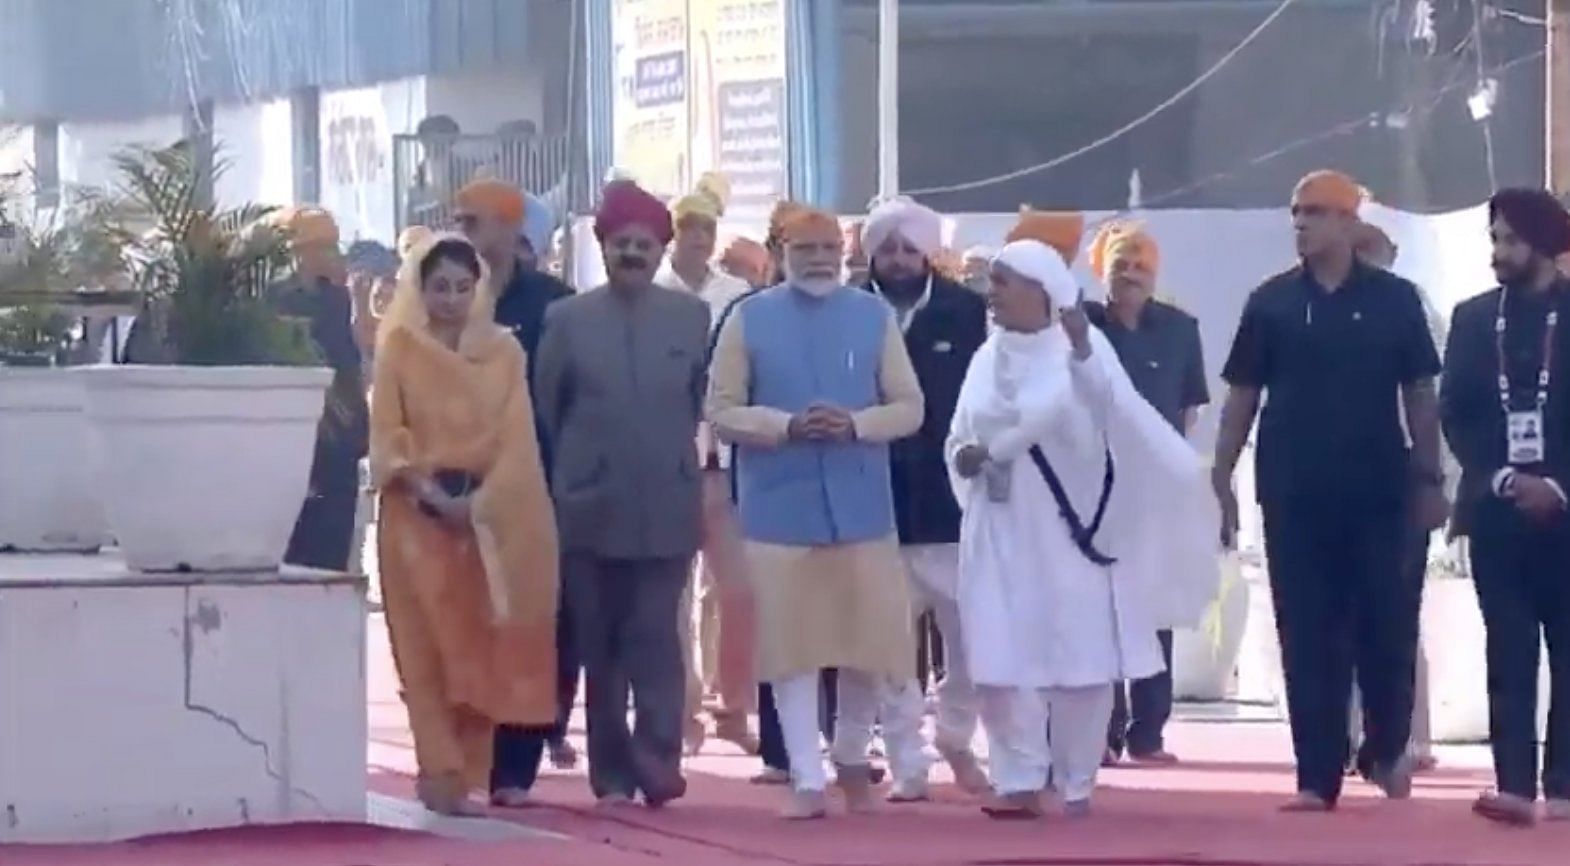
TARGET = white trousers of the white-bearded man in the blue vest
(797,704)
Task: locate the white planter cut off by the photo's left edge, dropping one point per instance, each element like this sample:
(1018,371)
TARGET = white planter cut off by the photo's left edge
(48,501)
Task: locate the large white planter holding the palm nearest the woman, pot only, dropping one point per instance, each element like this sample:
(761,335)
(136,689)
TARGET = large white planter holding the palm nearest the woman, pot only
(205,468)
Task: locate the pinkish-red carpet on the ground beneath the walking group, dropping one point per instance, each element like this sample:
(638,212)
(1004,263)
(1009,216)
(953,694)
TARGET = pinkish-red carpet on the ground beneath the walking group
(1218,810)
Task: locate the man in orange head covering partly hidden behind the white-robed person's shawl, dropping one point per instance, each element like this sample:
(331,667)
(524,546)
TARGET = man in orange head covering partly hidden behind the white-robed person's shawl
(1159,349)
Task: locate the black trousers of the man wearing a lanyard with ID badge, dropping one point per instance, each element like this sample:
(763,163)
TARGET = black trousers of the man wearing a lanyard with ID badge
(1522,573)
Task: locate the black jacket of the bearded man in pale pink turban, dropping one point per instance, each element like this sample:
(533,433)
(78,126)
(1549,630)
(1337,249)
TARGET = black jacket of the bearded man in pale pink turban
(941,340)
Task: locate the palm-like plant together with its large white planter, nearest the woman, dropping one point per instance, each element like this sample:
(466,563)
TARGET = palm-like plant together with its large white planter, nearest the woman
(206,440)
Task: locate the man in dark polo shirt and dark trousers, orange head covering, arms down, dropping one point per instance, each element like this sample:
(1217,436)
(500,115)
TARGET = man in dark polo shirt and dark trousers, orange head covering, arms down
(1343,351)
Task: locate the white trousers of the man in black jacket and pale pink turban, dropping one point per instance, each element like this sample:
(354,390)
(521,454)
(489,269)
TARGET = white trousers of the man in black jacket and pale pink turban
(933,572)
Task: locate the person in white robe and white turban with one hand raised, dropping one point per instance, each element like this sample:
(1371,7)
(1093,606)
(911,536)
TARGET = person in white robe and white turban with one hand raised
(1087,528)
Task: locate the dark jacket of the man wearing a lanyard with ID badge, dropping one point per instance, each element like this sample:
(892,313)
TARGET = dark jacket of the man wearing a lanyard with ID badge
(1470,410)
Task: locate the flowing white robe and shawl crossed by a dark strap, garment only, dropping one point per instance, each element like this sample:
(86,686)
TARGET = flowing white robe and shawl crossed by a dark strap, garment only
(1035,611)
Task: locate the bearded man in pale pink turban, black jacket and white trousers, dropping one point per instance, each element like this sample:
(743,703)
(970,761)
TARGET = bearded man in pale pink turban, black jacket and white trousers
(943,324)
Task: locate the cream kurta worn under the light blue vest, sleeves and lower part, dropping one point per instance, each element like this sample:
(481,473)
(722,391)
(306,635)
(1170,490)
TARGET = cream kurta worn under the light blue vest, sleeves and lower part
(838,605)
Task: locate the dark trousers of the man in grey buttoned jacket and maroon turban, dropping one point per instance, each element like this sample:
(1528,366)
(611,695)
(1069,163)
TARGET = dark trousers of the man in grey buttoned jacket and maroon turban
(626,622)
